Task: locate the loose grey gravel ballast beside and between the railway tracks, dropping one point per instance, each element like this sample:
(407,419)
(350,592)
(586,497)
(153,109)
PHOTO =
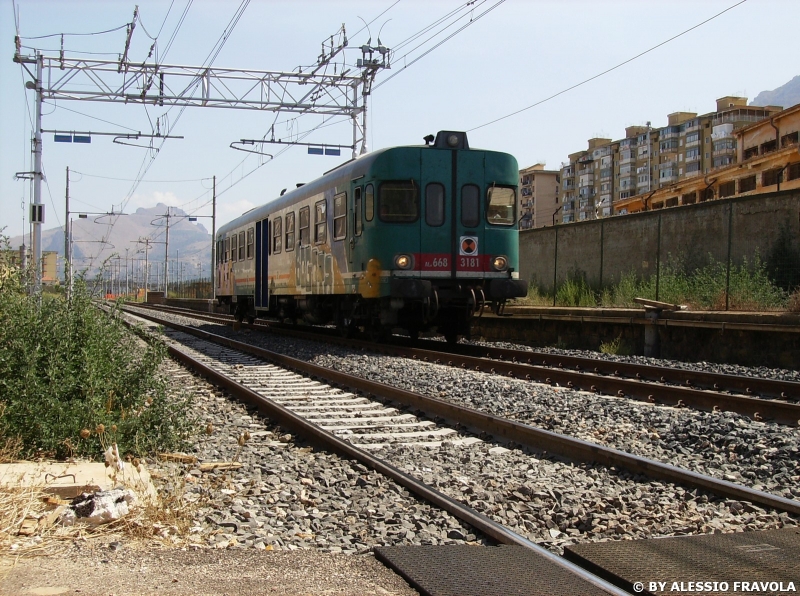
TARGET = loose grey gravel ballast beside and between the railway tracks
(292,497)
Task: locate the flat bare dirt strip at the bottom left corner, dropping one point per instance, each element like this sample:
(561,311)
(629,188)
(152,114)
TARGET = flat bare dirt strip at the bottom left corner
(119,569)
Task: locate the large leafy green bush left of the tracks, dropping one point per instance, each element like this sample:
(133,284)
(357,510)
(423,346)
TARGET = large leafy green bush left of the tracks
(66,368)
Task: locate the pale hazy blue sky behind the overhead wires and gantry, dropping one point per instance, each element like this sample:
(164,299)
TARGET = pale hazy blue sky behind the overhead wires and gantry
(518,54)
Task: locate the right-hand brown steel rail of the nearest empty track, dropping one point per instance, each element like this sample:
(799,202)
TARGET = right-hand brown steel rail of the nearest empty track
(508,430)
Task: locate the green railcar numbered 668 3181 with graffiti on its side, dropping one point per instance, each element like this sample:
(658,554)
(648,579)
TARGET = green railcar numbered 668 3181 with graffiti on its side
(419,238)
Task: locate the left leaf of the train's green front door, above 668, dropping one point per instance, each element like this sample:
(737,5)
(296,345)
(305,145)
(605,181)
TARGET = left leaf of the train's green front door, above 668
(436,215)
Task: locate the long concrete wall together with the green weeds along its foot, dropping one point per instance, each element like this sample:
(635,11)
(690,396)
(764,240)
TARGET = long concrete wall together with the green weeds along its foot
(734,254)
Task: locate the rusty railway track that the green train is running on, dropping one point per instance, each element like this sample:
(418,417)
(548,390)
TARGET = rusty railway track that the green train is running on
(759,398)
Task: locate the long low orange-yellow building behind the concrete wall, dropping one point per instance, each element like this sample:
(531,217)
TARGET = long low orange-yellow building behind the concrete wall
(766,158)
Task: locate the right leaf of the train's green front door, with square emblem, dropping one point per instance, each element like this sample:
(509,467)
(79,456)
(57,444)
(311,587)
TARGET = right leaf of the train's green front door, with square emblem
(468,238)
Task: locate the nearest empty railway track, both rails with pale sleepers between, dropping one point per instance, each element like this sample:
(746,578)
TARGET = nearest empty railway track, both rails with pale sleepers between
(356,417)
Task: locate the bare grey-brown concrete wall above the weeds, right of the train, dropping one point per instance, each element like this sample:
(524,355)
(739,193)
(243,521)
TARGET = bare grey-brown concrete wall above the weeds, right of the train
(603,250)
